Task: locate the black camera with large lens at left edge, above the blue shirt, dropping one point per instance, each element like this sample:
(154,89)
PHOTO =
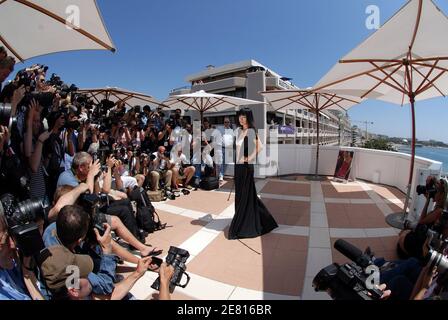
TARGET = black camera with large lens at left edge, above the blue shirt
(21,220)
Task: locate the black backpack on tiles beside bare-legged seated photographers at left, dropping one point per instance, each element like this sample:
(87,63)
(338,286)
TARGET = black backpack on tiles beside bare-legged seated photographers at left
(147,217)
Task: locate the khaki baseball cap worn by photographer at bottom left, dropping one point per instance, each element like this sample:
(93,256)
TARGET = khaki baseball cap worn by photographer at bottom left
(54,262)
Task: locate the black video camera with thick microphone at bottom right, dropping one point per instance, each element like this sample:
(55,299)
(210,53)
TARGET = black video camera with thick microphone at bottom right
(347,281)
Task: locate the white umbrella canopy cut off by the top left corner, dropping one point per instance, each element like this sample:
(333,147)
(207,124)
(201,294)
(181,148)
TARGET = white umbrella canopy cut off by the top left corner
(31,28)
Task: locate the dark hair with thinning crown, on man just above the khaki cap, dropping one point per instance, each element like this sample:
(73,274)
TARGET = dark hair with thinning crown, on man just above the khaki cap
(72,224)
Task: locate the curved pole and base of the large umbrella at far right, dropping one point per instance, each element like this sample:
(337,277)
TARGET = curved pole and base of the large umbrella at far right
(398,220)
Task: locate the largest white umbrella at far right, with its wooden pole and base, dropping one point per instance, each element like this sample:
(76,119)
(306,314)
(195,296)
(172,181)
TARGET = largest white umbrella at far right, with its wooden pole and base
(405,61)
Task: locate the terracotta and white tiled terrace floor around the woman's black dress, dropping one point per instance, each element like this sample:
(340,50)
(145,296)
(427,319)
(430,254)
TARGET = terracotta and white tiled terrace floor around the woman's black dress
(282,264)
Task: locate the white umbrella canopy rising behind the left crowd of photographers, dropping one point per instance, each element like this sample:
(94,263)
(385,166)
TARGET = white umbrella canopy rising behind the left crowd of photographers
(130,98)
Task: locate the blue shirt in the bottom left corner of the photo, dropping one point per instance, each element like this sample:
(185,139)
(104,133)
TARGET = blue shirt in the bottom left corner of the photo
(12,286)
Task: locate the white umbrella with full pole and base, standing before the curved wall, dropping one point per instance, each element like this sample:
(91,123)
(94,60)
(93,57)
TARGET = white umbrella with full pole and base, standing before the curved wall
(313,100)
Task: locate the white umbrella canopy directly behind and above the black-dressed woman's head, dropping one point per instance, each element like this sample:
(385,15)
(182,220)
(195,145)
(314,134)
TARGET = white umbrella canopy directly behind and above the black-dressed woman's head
(206,102)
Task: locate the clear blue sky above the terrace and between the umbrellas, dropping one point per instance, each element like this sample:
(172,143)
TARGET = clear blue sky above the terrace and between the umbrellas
(160,42)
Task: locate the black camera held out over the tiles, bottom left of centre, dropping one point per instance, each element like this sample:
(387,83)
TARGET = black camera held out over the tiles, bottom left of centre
(177,258)
